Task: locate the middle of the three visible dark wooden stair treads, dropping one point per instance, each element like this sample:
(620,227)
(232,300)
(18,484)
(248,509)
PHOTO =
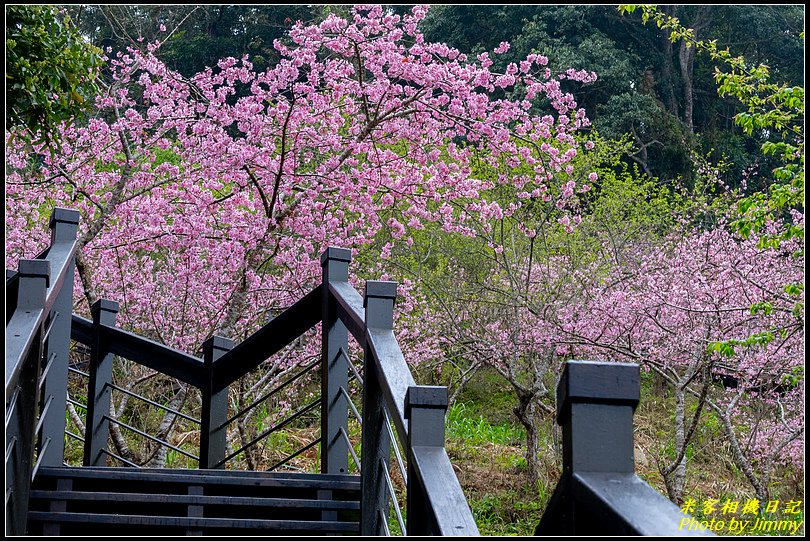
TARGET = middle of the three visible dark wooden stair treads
(192,499)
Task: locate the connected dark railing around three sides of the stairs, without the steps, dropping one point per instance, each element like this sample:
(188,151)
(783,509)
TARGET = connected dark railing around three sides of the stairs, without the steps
(393,406)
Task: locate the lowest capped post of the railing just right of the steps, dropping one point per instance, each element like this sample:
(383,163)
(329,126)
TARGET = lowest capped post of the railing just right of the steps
(425,409)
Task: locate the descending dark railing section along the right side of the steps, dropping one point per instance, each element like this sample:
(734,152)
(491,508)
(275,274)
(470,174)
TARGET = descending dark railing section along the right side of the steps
(435,502)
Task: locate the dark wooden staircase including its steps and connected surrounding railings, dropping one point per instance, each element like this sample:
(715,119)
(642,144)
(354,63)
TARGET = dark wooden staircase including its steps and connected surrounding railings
(400,420)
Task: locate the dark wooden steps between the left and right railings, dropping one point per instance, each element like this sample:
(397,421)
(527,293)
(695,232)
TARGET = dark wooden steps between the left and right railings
(111,501)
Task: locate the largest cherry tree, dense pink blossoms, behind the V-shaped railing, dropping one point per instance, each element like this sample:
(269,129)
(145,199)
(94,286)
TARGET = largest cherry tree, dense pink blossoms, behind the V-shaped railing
(207,200)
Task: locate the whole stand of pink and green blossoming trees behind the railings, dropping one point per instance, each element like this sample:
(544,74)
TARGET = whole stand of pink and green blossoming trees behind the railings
(519,236)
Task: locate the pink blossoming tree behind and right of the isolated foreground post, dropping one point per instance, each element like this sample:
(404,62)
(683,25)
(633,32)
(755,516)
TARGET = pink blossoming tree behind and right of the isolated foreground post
(704,309)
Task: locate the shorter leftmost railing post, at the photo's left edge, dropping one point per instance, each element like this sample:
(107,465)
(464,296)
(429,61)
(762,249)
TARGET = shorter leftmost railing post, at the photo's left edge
(21,405)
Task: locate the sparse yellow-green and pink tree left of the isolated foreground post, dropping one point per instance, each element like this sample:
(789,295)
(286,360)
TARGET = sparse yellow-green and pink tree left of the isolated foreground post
(496,299)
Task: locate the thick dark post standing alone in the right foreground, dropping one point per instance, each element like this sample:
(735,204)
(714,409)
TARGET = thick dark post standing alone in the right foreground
(595,404)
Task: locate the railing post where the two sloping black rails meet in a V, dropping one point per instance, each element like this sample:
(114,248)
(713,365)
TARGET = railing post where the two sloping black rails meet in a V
(213,436)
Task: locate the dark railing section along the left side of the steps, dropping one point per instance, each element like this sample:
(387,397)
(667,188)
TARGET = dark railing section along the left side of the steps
(37,345)
